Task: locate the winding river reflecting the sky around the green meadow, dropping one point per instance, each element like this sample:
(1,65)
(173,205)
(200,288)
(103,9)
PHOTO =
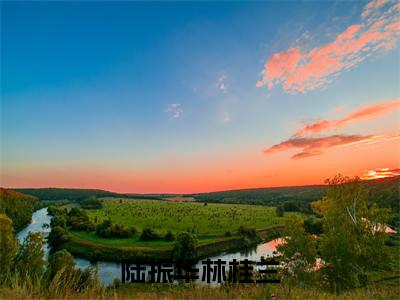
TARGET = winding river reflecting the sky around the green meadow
(108,271)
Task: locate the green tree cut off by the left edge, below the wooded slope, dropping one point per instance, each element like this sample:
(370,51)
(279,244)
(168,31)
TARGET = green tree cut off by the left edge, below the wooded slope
(8,246)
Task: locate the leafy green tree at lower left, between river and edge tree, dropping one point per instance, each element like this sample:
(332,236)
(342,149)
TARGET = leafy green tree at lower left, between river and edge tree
(29,262)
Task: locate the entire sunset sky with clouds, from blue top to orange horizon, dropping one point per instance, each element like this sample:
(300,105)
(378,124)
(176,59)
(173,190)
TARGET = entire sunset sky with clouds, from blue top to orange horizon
(187,97)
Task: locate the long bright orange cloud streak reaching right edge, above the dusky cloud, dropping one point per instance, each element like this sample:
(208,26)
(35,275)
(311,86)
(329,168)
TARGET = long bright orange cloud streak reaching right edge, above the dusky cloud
(362,113)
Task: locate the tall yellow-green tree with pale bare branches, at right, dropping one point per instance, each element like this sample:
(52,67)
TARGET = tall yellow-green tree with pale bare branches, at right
(353,242)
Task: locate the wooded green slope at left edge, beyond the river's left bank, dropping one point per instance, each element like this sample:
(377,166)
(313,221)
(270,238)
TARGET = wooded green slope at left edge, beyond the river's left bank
(17,206)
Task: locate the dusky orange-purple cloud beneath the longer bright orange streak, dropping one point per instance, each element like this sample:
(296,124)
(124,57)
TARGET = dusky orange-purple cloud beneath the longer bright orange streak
(316,146)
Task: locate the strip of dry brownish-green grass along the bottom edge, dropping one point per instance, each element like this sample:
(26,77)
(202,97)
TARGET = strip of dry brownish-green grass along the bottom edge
(203,292)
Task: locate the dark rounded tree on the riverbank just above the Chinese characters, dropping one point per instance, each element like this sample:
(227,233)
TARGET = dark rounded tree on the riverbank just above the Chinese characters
(185,247)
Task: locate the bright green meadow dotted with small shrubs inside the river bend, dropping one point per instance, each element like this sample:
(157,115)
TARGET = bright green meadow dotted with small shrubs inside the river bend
(207,221)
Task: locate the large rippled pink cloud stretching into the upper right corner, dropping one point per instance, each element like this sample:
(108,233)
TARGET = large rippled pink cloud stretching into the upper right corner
(300,71)
